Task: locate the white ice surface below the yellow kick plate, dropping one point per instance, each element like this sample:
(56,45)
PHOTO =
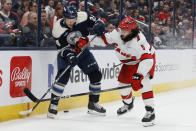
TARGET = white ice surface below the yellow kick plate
(175,110)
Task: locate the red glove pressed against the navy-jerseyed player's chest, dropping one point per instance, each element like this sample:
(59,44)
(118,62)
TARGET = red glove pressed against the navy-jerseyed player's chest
(80,44)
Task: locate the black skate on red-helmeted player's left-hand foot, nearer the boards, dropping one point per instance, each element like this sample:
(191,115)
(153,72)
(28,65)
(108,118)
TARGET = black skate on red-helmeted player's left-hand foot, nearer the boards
(126,107)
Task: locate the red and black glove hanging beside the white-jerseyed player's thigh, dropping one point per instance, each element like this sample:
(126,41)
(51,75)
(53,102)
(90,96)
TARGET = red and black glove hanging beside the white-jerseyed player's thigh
(136,83)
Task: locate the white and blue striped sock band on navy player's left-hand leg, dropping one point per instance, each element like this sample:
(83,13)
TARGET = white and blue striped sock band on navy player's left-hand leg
(58,89)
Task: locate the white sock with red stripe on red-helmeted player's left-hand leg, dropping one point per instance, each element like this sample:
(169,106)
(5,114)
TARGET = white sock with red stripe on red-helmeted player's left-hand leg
(126,93)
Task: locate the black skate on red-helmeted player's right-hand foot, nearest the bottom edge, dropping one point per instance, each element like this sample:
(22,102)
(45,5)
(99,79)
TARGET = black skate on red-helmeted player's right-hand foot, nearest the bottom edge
(149,117)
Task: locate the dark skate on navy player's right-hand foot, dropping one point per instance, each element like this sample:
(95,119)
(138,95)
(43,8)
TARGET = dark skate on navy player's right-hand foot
(96,109)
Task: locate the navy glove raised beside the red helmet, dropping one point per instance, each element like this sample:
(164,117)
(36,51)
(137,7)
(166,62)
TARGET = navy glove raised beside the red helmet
(99,28)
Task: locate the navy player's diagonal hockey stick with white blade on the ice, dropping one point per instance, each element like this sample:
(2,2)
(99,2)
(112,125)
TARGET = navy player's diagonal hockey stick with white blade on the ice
(39,100)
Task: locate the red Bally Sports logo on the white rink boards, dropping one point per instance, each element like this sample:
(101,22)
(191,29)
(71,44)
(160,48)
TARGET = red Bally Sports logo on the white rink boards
(20,75)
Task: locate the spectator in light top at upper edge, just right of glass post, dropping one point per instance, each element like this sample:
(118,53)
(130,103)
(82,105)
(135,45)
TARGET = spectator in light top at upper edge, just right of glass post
(50,10)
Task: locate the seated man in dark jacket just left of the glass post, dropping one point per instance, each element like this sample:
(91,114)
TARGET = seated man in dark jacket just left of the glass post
(29,32)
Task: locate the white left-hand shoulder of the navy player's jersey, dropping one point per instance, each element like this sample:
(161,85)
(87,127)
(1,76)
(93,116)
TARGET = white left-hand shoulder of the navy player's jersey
(58,30)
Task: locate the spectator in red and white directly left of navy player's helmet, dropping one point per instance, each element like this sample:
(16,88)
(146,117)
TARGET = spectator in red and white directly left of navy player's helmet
(58,14)
